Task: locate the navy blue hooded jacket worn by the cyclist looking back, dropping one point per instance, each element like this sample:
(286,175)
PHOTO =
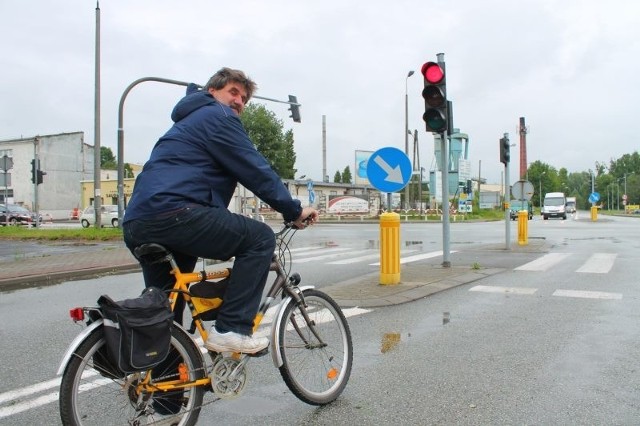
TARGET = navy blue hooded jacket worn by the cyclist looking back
(201,159)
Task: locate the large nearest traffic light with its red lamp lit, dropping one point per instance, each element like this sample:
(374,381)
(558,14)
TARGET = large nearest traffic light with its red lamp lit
(436,113)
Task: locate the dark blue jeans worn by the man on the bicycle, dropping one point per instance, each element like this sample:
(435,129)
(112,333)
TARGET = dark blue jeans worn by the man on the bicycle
(212,233)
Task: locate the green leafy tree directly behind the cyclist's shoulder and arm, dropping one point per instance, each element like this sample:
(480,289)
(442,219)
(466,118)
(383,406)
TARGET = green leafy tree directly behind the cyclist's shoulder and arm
(266,132)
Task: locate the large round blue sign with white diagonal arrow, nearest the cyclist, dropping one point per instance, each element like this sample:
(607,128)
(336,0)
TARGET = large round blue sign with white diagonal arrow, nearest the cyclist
(389,169)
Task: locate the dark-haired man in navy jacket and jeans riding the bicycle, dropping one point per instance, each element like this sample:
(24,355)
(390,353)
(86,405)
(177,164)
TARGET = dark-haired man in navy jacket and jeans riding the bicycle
(181,196)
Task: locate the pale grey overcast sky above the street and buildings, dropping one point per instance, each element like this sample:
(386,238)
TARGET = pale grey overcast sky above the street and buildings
(570,67)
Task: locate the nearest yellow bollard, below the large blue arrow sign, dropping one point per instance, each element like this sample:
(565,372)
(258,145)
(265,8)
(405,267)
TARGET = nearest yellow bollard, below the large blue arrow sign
(389,248)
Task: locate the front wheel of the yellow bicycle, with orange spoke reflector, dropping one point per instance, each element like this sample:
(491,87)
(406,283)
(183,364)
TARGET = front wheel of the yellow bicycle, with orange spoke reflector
(315,375)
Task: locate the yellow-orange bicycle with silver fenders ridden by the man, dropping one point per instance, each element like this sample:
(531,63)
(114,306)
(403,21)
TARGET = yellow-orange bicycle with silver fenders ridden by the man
(310,345)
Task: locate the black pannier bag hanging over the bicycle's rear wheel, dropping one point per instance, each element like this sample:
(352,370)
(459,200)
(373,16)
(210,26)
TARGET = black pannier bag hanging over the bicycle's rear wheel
(137,331)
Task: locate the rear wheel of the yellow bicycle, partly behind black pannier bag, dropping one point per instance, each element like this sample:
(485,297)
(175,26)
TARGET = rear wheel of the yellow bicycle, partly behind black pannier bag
(92,394)
